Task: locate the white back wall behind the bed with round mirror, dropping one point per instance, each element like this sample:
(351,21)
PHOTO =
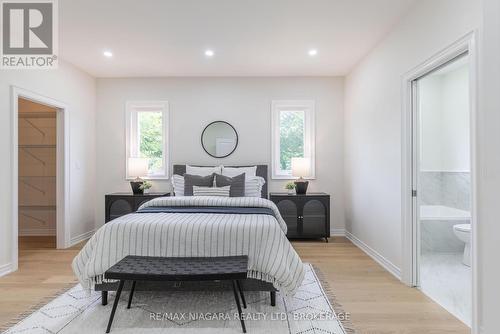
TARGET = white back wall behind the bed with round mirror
(243,102)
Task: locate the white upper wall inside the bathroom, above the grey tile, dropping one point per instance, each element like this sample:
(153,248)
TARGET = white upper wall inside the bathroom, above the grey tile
(444,121)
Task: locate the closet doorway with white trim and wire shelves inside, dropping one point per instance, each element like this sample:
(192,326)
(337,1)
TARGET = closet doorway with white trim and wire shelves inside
(40,178)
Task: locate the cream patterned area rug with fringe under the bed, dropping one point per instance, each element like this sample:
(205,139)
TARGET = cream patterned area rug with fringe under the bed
(310,310)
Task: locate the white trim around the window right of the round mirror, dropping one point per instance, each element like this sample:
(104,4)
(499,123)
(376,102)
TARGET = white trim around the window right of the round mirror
(309,135)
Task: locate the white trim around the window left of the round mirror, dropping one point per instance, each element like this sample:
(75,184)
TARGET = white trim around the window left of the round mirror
(131,109)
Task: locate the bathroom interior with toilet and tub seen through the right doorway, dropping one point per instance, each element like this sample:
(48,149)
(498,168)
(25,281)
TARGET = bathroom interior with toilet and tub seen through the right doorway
(444,188)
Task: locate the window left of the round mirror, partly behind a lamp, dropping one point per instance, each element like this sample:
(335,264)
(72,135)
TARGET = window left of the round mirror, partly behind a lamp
(147,136)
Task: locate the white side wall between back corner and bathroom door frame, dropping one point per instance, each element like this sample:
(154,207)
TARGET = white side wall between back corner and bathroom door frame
(373,118)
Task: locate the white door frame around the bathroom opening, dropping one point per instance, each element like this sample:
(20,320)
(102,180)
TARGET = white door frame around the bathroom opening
(409,232)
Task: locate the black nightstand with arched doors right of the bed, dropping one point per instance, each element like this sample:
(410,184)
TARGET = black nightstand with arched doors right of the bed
(307,216)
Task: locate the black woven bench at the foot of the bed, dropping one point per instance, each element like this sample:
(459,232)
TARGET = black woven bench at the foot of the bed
(148,268)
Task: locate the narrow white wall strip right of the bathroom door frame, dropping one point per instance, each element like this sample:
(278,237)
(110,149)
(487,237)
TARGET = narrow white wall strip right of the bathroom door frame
(488,130)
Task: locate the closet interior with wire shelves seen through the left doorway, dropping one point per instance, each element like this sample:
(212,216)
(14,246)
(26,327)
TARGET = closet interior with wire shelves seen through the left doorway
(37,136)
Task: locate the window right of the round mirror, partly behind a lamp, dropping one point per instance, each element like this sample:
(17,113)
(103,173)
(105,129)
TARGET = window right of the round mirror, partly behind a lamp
(292,136)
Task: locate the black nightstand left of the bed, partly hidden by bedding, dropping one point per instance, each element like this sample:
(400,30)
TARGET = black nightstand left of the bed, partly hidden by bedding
(120,204)
